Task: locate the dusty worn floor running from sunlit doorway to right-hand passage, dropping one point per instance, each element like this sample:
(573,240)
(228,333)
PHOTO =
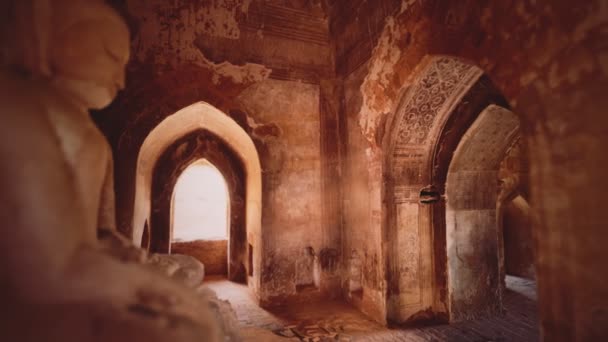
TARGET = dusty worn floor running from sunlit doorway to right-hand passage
(338,321)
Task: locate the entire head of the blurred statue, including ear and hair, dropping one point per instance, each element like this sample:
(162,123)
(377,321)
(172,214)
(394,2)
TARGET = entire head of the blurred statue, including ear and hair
(81,46)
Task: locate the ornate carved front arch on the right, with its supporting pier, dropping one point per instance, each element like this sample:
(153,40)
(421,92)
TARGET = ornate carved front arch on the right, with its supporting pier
(442,99)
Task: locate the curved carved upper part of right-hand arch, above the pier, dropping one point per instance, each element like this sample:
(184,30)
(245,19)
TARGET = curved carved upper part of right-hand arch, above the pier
(439,84)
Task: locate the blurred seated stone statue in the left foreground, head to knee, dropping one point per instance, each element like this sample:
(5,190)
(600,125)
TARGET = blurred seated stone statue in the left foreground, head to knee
(58,282)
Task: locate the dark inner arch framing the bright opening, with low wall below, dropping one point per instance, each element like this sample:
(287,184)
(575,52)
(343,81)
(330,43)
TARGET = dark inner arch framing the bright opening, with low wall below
(173,163)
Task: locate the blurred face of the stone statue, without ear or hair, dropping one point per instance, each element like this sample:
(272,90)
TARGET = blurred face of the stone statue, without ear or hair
(89,51)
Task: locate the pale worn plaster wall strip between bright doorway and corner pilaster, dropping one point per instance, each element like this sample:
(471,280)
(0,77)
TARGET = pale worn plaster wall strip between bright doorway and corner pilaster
(291,187)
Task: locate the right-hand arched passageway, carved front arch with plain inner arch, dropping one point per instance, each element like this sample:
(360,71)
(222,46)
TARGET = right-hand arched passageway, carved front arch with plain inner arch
(443,149)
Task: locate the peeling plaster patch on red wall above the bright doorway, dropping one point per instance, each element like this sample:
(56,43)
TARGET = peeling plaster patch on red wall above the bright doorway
(165,40)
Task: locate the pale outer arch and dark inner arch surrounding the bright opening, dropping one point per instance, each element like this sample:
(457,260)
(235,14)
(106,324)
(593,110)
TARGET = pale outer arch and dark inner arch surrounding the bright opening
(196,132)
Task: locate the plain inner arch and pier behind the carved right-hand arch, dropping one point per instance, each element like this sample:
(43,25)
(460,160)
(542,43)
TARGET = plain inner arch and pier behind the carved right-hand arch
(474,255)
